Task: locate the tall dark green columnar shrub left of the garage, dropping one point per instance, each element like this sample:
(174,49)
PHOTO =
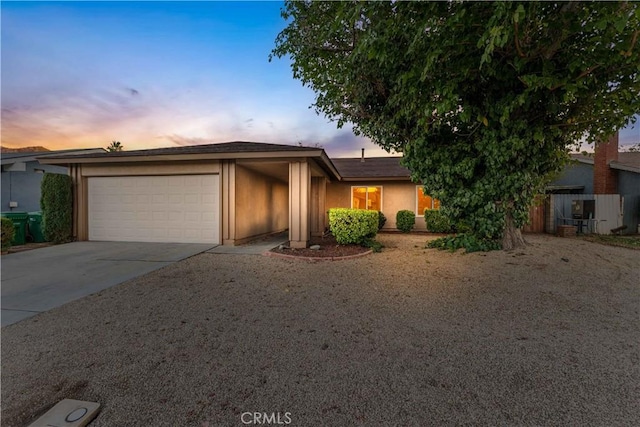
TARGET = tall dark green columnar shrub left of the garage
(57,207)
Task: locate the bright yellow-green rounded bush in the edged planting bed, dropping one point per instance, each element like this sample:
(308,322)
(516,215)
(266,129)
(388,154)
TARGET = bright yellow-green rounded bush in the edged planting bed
(353,226)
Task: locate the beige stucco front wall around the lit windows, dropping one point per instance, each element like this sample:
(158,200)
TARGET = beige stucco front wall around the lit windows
(396,196)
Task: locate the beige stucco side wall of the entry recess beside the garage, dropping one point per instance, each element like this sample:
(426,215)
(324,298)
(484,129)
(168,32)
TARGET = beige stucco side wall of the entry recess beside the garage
(261,204)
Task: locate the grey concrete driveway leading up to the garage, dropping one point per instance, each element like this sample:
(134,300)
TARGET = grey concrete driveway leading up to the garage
(41,279)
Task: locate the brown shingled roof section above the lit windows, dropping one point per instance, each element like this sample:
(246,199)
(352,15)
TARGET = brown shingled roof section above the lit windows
(387,168)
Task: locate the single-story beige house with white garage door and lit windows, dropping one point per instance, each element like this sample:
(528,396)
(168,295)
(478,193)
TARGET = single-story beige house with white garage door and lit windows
(229,193)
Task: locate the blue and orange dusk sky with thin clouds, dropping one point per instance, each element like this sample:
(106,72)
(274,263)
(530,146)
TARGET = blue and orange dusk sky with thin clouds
(157,74)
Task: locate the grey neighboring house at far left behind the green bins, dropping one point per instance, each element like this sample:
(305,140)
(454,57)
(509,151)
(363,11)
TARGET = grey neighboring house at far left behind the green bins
(22,174)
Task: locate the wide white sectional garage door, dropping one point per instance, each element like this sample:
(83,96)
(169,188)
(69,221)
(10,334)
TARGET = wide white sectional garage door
(176,208)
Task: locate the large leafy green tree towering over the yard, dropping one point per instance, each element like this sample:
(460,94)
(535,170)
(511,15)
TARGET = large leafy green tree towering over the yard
(483,99)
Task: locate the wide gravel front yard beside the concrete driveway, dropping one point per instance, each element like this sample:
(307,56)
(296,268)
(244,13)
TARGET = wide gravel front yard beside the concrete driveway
(413,337)
